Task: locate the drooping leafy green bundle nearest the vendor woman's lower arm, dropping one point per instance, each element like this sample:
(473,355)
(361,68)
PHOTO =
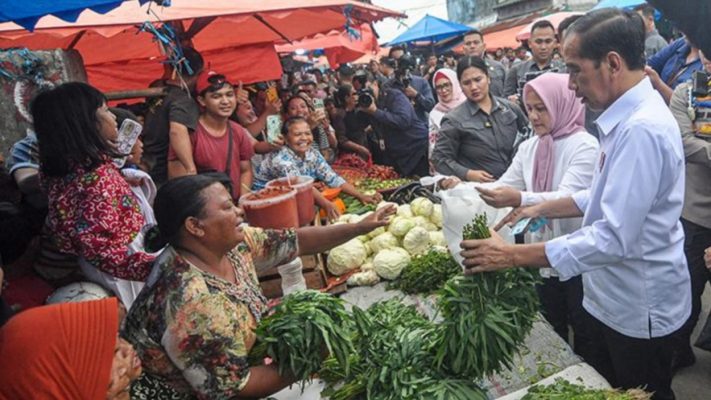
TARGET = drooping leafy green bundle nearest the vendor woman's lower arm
(298,332)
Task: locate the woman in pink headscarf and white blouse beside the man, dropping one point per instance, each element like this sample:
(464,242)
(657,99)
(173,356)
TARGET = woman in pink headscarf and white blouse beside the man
(557,162)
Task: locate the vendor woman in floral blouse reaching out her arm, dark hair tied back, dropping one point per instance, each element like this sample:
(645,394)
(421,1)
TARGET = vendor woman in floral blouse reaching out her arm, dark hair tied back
(192,325)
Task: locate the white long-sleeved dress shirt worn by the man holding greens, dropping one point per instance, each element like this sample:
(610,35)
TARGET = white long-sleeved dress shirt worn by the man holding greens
(630,249)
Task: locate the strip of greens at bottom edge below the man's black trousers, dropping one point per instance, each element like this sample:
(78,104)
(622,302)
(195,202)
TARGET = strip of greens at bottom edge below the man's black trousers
(565,390)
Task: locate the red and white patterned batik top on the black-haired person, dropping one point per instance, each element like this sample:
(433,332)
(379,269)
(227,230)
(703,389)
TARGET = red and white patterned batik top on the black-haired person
(94,214)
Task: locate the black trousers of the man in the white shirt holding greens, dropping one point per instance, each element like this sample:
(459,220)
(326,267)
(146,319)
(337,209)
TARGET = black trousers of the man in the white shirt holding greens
(628,362)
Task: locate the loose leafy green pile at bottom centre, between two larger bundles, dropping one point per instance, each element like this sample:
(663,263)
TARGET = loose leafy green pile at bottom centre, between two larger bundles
(395,347)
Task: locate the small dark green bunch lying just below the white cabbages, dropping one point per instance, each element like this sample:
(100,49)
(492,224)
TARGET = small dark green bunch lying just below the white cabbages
(427,273)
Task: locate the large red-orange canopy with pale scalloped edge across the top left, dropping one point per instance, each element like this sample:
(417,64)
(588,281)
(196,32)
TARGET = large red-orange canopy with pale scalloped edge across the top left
(235,37)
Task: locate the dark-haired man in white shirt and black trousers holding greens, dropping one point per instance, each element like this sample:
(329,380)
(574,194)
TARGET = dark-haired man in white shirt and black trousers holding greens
(630,250)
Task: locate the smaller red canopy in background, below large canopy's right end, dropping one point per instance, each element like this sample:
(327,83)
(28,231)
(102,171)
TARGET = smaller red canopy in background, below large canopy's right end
(340,47)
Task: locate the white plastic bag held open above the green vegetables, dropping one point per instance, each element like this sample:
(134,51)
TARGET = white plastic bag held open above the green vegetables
(459,206)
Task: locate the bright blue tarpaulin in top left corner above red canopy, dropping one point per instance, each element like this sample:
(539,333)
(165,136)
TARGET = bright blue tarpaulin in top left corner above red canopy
(26,13)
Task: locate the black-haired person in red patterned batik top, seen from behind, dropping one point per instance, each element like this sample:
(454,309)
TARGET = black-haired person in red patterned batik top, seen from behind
(92,211)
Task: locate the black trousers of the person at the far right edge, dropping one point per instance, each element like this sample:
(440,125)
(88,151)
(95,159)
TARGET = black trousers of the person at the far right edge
(698,238)
